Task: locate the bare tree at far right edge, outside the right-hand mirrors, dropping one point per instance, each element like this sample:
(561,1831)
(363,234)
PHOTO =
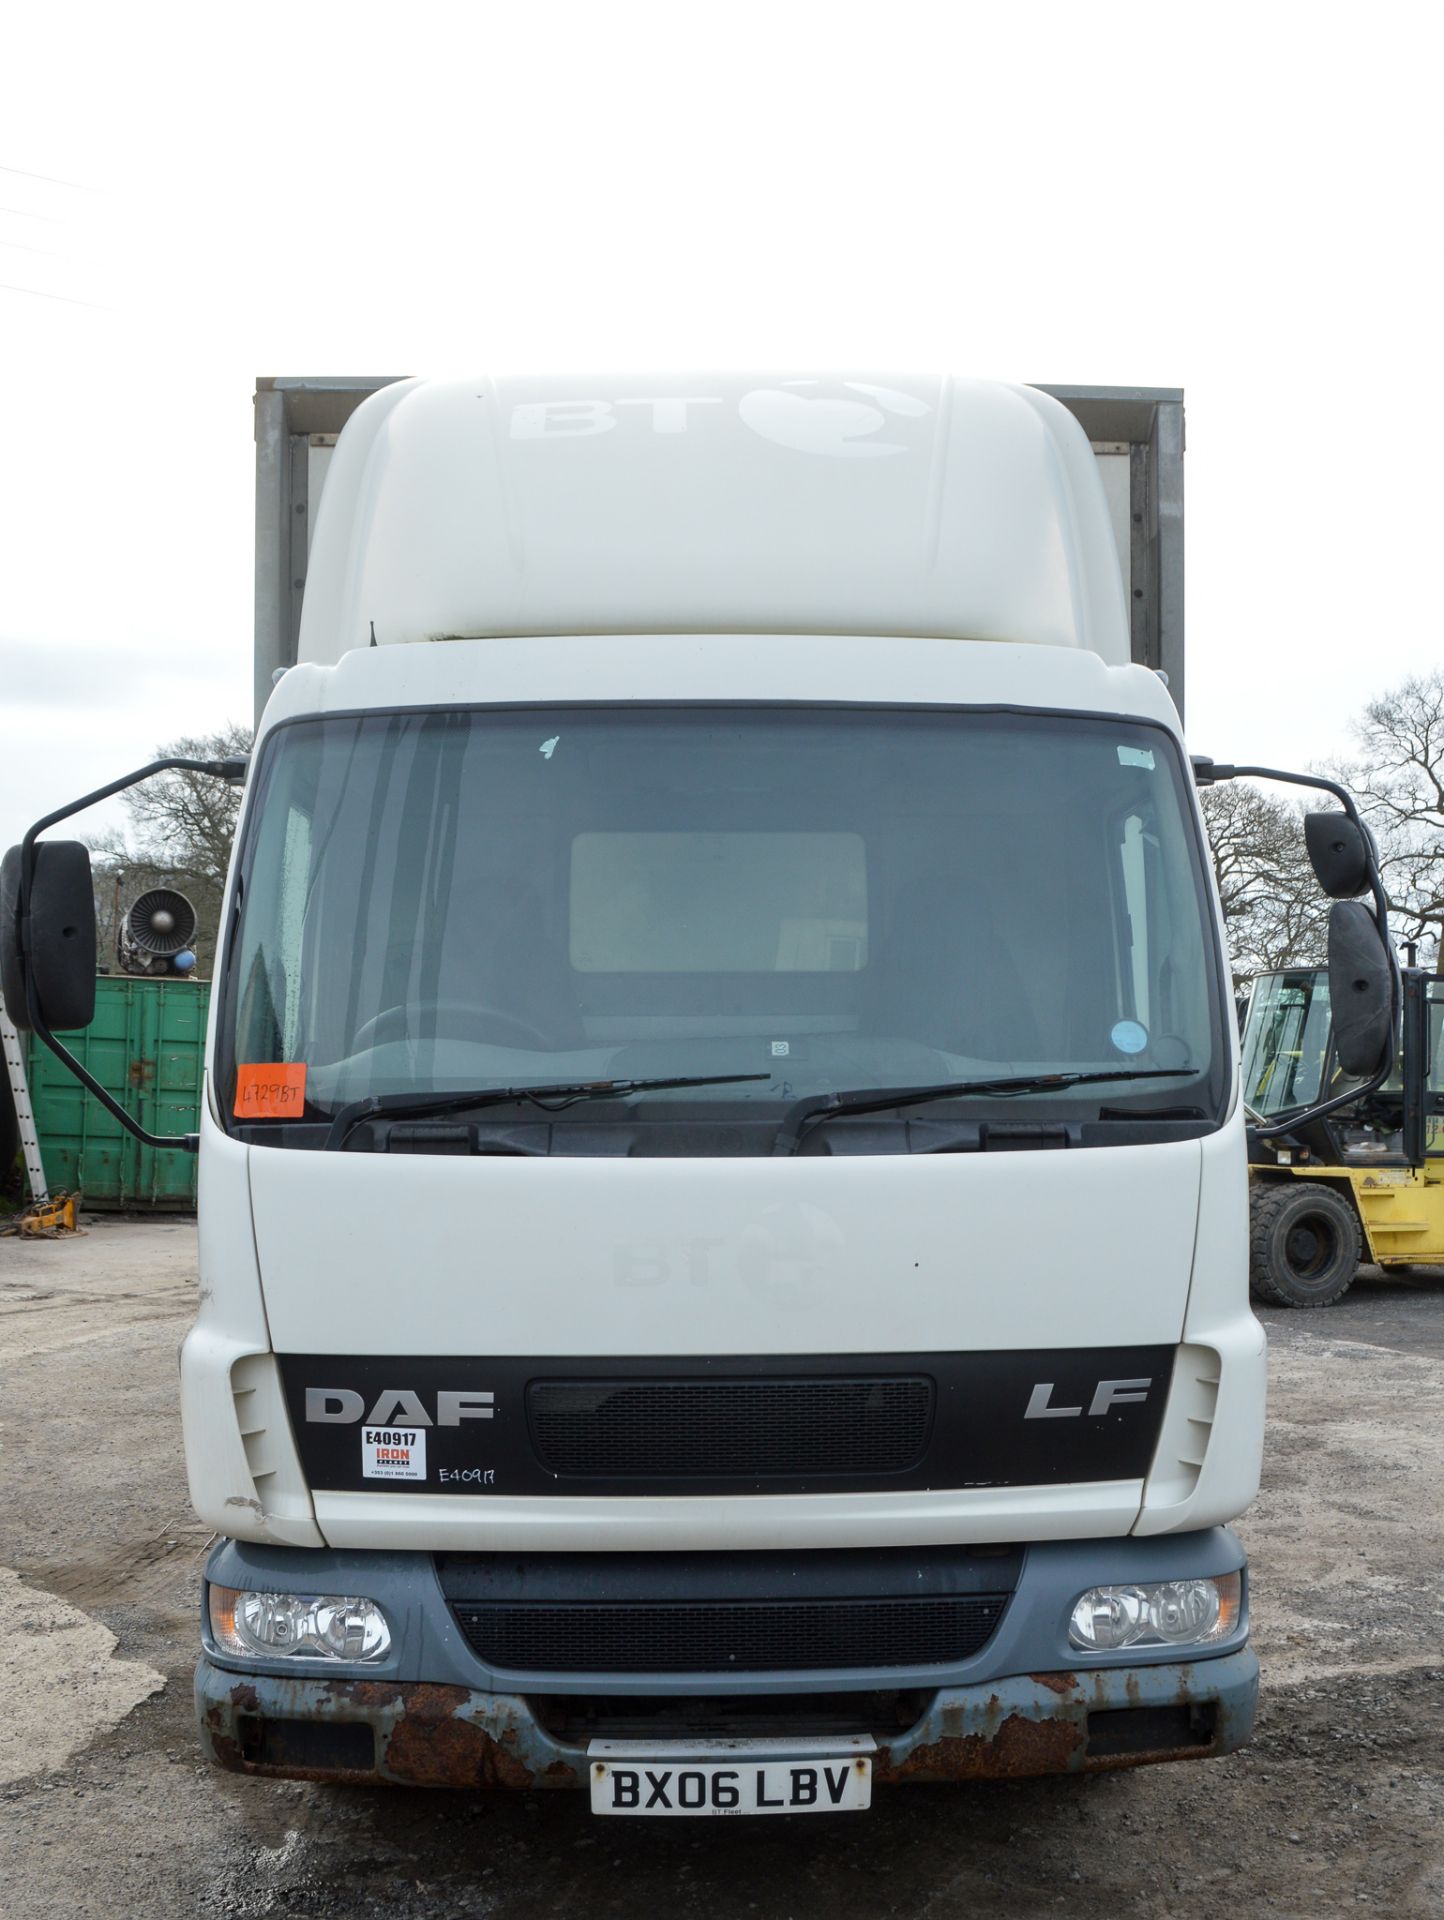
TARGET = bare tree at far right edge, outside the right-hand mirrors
(1399,780)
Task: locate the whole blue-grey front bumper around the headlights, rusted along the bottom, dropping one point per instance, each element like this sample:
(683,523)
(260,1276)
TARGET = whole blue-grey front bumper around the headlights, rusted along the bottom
(433,1714)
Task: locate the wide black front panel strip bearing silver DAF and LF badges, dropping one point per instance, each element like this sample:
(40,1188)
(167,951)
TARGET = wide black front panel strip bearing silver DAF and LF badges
(734,1424)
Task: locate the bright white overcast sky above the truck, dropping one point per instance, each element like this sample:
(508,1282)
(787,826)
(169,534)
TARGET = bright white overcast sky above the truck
(1238,201)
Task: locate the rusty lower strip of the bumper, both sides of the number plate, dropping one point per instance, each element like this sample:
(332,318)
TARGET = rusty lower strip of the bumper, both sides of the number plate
(452,1737)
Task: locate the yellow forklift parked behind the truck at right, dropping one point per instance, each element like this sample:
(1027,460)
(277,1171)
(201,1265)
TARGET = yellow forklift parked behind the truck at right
(1366,1180)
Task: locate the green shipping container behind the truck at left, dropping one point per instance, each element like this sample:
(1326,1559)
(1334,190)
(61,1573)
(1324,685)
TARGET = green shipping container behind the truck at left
(147,1045)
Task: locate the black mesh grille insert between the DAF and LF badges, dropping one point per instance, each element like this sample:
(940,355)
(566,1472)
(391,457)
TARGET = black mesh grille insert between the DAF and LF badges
(729,1429)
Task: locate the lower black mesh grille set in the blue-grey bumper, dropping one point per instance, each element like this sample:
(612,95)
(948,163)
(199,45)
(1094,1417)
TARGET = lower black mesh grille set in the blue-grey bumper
(738,1637)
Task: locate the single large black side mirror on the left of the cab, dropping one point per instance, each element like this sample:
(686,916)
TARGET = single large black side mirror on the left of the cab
(60,942)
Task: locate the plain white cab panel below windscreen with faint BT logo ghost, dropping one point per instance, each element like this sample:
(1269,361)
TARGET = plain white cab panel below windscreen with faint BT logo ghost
(564,1257)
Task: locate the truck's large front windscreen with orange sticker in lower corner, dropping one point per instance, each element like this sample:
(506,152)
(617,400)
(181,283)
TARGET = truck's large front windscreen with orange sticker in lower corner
(832,900)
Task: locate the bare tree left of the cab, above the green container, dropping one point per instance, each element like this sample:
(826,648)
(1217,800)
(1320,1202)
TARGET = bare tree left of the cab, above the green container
(180,836)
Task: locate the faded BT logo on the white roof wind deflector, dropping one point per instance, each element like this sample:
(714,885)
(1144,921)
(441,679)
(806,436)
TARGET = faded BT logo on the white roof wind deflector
(840,423)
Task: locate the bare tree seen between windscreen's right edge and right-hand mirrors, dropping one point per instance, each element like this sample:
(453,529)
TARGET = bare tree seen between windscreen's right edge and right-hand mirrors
(1272,907)
